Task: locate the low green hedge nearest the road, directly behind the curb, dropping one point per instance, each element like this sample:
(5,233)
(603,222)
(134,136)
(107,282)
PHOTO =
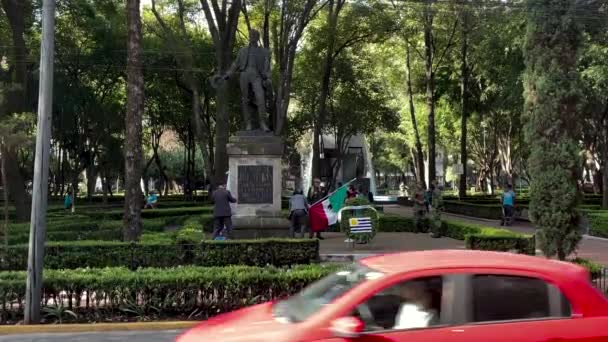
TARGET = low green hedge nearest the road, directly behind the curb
(176,292)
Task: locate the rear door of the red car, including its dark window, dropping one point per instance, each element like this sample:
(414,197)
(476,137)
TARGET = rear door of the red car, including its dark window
(506,308)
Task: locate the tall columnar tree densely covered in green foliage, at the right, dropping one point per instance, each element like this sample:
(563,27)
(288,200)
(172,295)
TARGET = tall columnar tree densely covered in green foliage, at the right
(552,95)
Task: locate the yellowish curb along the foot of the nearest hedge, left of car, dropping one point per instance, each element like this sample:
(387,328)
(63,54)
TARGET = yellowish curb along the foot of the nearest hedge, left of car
(96,327)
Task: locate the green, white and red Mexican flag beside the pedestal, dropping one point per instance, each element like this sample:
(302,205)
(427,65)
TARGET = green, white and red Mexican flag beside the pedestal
(325,212)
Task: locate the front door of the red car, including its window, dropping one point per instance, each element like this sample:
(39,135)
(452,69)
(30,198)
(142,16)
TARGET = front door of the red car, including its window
(390,315)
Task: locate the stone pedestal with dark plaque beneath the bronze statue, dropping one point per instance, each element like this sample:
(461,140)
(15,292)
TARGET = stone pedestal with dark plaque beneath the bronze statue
(254,162)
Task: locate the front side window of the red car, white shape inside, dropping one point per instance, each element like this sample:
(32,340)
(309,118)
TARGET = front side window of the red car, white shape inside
(408,305)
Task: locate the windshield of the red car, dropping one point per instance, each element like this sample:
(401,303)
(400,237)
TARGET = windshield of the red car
(303,305)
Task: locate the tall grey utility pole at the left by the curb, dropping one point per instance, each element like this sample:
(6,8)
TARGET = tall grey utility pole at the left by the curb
(33,294)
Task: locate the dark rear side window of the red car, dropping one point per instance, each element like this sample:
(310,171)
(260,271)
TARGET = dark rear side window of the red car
(505,298)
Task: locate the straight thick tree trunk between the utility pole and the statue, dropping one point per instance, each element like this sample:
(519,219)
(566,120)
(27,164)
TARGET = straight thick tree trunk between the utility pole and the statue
(133,125)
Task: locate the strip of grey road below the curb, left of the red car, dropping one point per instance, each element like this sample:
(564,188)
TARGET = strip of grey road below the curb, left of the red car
(130,336)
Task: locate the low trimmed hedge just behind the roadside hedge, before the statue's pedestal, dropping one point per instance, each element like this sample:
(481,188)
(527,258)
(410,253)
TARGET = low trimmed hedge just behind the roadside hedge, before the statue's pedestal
(98,254)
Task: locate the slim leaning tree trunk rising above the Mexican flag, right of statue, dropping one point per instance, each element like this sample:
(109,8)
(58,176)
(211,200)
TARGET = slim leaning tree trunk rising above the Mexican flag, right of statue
(332,21)
